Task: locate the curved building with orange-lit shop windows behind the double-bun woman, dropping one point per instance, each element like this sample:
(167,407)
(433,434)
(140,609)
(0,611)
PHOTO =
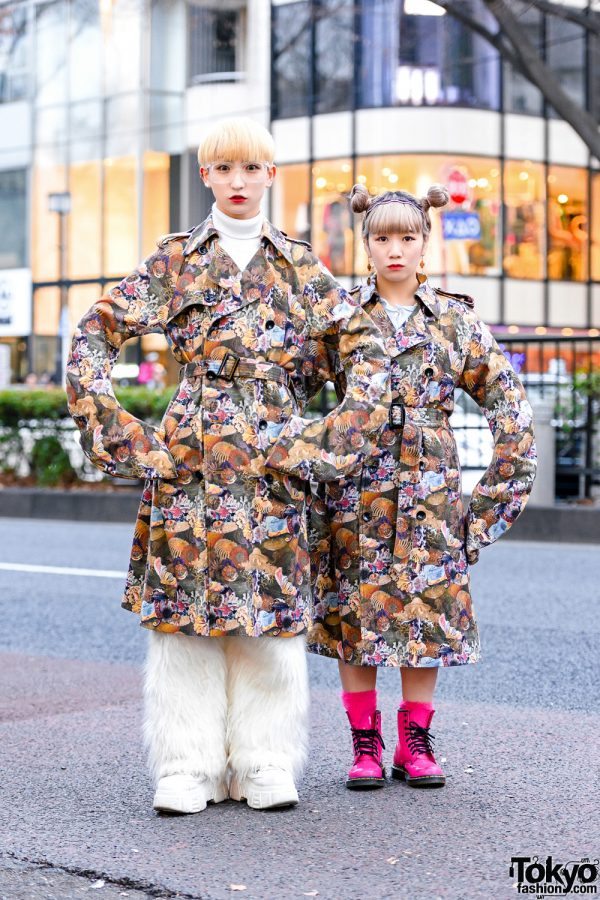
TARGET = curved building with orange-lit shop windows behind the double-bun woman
(420,80)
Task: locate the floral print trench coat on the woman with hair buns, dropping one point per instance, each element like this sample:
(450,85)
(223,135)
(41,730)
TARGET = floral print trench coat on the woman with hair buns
(393,545)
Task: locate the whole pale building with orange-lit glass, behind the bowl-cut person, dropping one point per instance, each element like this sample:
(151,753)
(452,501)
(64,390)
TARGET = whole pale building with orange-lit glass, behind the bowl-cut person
(106,101)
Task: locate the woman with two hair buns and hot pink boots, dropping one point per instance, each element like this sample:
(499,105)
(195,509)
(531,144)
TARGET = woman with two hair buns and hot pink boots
(394,544)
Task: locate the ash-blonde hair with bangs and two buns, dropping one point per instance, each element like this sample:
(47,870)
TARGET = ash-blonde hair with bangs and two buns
(396,212)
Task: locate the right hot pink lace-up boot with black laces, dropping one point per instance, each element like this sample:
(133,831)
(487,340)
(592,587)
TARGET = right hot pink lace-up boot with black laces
(414,761)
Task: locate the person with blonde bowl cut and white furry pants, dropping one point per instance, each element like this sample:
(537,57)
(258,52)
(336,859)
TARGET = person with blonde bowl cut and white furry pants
(220,569)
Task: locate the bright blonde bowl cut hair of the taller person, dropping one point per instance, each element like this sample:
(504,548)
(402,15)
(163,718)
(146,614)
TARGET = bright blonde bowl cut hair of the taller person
(236,139)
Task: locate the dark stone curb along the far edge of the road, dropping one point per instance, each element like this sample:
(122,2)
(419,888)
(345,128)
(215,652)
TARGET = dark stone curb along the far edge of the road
(563,524)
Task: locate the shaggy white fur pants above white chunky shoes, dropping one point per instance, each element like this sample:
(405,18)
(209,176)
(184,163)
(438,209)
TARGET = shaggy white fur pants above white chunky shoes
(210,703)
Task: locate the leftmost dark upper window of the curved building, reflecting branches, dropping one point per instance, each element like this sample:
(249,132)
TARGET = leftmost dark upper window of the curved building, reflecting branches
(291,42)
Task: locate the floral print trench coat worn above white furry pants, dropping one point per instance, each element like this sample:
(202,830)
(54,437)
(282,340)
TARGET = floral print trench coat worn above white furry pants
(220,544)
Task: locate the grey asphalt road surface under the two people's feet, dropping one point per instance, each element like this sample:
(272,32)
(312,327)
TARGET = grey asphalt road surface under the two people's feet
(519,734)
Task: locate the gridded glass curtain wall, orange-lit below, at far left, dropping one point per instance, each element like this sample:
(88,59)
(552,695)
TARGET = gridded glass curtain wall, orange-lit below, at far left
(92,95)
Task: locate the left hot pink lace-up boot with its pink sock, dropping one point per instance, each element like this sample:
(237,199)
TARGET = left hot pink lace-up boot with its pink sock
(365,723)
